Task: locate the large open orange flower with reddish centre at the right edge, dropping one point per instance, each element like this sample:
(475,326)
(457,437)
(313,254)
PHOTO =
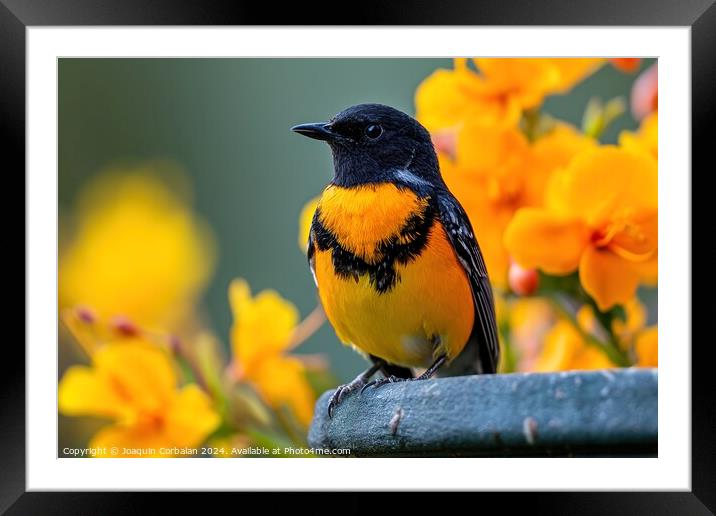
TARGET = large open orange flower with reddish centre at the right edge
(600,217)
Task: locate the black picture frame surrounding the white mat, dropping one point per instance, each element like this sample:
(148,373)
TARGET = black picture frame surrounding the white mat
(17,15)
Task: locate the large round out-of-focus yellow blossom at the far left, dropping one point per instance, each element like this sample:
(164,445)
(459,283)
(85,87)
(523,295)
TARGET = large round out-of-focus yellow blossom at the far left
(137,250)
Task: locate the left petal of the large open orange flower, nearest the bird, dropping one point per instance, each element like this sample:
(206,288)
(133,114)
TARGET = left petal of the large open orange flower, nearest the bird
(538,239)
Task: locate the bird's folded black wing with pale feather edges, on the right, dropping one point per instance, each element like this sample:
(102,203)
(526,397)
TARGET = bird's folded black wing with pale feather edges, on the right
(461,236)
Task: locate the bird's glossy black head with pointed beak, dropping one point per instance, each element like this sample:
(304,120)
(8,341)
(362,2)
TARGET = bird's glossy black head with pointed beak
(373,143)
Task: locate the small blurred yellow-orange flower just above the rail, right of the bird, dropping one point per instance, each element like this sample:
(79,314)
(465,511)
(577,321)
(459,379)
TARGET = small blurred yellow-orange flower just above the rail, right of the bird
(565,349)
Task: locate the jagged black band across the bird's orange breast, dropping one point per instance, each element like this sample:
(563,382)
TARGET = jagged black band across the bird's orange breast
(403,247)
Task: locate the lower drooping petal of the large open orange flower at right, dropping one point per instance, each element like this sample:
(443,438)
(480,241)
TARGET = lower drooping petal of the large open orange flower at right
(608,278)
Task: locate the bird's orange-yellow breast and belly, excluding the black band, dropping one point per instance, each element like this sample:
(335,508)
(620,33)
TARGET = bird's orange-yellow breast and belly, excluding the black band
(431,301)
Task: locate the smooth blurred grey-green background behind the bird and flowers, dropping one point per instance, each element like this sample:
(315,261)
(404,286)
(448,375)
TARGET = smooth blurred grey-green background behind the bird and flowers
(226,123)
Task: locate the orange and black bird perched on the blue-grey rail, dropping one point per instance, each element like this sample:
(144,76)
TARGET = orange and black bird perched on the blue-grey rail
(398,270)
